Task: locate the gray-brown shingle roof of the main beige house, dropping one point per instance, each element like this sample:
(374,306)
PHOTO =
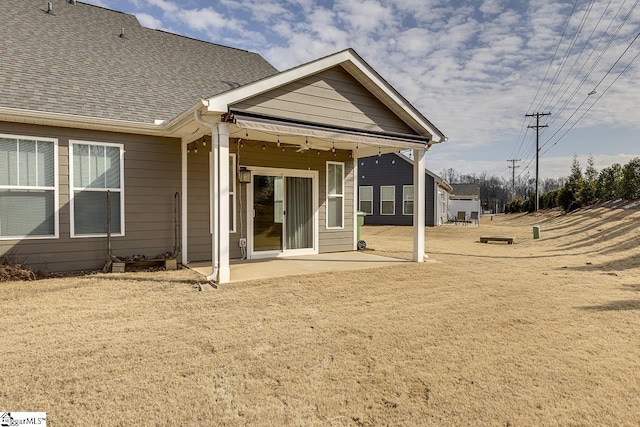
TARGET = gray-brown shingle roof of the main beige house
(74,61)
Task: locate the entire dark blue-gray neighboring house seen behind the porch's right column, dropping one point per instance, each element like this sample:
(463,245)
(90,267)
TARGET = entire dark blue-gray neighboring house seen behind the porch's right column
(385,191)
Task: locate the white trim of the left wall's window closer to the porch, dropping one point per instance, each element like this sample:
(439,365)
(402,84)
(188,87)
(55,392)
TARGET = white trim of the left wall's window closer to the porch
(72,189)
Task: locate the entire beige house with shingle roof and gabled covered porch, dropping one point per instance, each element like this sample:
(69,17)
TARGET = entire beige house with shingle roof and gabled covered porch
(201,150)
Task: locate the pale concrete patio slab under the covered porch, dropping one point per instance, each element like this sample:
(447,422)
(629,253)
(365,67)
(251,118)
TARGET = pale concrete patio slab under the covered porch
(308,264)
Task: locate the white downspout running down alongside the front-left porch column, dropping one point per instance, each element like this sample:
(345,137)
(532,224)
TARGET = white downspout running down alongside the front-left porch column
(214,190)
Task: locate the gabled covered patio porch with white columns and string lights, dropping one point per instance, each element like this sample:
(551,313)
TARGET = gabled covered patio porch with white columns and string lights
(283,164)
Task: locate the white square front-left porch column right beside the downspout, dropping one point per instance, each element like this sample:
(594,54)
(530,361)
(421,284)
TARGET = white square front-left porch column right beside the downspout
(223,202)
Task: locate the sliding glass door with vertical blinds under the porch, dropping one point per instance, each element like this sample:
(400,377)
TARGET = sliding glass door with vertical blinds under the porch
(284,220)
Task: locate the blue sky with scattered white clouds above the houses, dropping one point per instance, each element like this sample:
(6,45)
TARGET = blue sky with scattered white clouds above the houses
(474,68)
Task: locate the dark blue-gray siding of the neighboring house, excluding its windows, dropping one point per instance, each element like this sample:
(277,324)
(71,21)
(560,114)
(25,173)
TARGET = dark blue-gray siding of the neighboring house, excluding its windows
(390,169)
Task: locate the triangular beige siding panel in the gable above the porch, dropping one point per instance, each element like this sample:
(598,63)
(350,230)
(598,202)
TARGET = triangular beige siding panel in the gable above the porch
(332,97)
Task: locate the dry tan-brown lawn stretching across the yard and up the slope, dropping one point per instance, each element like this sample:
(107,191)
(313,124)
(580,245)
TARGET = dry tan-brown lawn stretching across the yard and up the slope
(543,332)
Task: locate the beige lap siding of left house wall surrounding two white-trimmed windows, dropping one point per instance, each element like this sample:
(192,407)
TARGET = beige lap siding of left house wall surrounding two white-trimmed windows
(151,178)
